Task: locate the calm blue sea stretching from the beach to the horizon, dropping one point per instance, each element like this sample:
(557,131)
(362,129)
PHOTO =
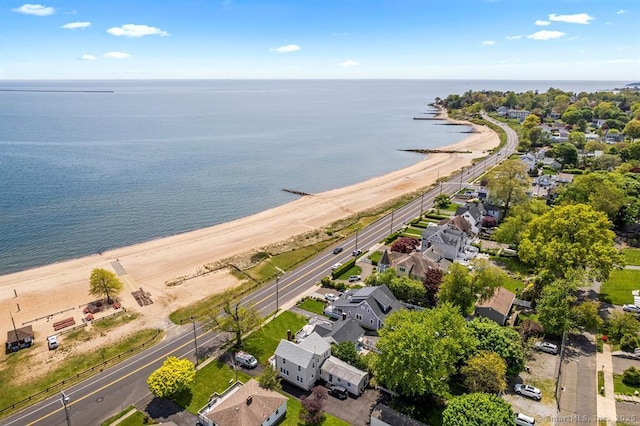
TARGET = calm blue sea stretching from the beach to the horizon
(83,172)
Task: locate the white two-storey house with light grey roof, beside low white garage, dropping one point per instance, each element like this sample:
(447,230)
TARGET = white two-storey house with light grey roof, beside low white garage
(299,364)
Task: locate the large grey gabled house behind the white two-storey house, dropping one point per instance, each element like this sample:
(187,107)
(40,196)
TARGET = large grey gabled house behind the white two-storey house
(369,306)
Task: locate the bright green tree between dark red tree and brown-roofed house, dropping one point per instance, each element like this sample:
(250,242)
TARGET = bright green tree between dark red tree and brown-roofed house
(463,288)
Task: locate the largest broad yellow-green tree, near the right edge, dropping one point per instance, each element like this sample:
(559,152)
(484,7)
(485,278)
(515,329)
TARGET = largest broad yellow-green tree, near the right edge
(570,237)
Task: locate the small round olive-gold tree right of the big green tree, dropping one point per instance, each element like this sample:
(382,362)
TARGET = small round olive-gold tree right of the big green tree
(485,372)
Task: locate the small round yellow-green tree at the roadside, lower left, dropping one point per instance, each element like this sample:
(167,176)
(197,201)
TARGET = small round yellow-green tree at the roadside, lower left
(174,376)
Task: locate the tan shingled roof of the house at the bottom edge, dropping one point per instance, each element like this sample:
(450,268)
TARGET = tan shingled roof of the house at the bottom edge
(249,405)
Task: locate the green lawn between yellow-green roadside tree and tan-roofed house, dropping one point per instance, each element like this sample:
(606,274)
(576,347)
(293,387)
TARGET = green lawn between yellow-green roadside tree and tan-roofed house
(213,377)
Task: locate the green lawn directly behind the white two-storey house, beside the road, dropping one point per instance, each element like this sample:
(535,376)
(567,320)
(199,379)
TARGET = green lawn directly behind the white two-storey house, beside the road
(262,343)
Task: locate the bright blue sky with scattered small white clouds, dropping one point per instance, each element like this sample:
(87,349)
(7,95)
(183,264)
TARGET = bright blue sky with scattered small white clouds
(432,39)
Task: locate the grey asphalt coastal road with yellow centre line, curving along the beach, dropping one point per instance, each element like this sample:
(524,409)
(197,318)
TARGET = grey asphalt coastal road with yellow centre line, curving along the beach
(116,388)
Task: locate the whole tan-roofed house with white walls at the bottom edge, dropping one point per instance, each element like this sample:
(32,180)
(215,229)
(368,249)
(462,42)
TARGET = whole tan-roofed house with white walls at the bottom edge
(244,404)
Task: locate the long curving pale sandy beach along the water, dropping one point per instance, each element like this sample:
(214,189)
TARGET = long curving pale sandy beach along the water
(50,289)
